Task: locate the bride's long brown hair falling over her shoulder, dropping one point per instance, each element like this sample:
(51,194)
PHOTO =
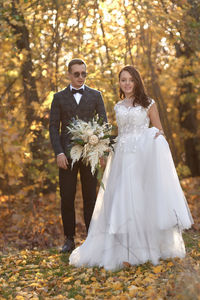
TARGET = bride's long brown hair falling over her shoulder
(140,95)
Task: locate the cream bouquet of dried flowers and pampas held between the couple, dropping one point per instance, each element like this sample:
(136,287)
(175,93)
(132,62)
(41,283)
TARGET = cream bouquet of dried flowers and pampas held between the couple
(90,141)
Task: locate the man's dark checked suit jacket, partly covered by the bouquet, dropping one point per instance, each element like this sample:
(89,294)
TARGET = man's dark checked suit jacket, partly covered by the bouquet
(64,107)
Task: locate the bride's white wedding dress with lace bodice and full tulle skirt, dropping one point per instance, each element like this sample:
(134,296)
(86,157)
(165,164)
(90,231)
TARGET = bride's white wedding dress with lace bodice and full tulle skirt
(141,213)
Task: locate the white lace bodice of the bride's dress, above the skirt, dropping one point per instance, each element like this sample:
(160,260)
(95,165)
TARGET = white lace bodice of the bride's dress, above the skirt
(131,121)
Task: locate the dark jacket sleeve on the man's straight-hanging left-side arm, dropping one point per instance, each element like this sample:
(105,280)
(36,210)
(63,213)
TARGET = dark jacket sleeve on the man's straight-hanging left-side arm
(54,126)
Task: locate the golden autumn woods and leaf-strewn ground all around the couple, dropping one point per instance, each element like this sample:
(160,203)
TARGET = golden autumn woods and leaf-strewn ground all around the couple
(161,38)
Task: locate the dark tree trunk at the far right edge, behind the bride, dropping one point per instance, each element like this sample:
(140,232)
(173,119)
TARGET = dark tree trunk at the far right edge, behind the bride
(185,48)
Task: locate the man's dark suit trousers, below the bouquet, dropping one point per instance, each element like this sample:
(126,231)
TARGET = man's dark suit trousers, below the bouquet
(68,183)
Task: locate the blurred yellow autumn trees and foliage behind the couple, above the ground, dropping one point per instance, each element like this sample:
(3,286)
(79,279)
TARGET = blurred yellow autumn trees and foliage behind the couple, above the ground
(39,37)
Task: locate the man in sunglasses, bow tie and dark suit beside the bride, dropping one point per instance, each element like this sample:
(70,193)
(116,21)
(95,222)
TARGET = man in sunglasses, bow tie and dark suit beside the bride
(77,100)
